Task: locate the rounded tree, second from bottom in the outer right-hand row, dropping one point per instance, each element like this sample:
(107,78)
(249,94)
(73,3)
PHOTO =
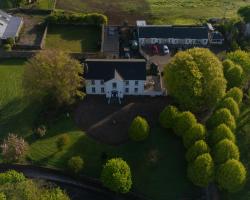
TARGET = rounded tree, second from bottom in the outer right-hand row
(225,150)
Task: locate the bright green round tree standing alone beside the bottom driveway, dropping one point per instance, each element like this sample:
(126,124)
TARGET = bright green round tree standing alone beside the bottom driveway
(116,175)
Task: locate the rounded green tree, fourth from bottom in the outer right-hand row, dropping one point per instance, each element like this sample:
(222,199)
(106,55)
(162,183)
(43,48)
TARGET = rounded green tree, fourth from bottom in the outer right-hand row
(221,116)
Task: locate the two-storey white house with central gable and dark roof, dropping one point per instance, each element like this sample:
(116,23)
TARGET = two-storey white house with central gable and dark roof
(115,78)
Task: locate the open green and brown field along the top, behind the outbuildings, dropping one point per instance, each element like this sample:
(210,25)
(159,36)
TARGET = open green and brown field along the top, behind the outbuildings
(157,11)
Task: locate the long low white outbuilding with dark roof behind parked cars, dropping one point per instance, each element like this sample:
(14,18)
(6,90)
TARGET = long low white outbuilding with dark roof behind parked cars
(174,35)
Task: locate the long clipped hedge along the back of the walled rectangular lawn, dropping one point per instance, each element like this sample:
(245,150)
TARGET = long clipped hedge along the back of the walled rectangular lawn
(60,17)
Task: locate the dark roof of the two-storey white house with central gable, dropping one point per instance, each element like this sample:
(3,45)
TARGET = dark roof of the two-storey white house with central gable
(122,69)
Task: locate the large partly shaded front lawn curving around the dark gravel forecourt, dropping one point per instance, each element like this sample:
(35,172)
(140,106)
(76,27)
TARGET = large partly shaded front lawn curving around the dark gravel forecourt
(158,165)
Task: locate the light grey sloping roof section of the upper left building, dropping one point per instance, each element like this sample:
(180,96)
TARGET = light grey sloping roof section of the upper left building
(13,27)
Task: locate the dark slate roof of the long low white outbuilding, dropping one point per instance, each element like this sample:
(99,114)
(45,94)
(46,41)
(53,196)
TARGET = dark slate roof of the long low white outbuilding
(179,32)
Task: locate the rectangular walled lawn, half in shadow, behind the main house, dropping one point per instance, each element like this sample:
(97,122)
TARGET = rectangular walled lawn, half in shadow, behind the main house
(73,38)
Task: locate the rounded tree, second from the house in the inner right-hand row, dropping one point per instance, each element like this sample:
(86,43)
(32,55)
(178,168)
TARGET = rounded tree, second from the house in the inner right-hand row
(184,122)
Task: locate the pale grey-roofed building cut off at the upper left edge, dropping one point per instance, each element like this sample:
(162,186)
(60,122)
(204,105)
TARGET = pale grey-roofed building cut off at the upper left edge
(10,26)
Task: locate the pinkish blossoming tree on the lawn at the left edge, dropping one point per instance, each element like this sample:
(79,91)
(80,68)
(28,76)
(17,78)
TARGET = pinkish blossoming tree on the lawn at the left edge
(14,149)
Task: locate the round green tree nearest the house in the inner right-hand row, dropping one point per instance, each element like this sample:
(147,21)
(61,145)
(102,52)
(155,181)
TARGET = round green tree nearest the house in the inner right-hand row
(168,116)
